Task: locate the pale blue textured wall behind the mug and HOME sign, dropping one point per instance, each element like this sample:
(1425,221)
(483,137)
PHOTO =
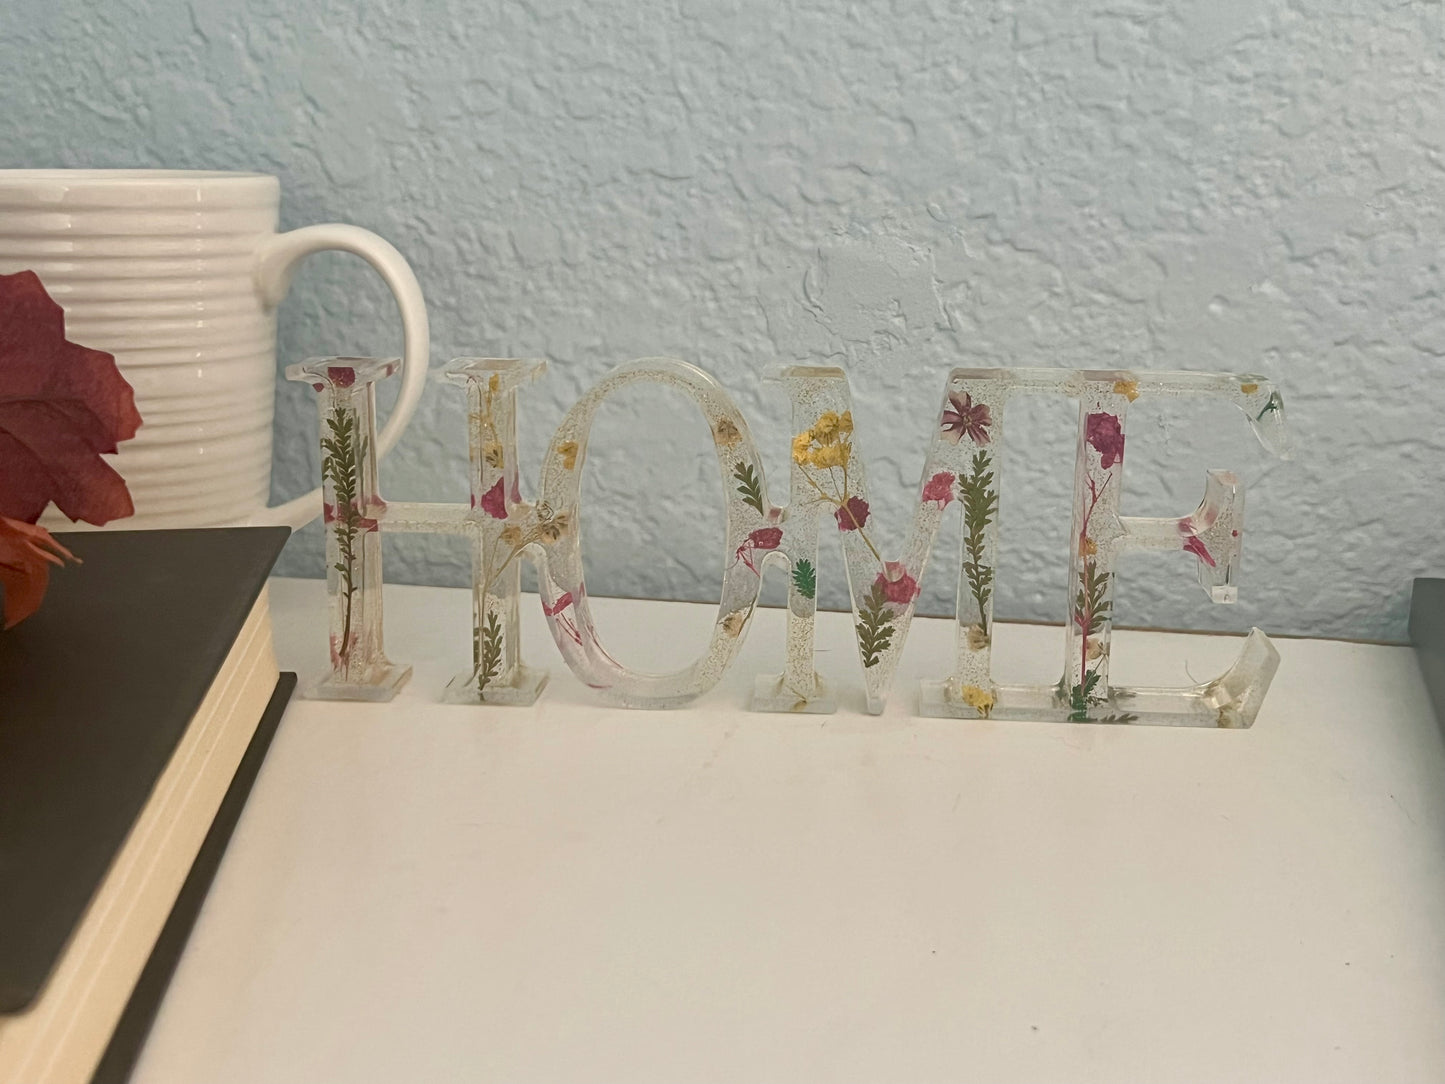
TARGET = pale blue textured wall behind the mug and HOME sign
(1239,184)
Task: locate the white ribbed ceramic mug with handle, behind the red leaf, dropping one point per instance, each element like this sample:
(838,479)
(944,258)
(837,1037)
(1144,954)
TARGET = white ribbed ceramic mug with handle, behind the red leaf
(178,275)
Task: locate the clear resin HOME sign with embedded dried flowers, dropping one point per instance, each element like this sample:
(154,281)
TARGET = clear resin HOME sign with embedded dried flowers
(827,488)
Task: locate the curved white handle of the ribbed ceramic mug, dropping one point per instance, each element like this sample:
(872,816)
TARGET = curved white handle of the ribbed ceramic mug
(275,265)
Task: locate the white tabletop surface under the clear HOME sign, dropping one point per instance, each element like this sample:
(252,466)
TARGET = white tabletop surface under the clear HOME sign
(571,892)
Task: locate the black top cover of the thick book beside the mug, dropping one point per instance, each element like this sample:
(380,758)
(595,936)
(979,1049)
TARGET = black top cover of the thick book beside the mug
(98,690)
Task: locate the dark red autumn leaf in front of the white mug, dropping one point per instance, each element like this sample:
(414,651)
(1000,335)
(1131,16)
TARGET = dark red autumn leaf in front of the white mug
(61,407)
